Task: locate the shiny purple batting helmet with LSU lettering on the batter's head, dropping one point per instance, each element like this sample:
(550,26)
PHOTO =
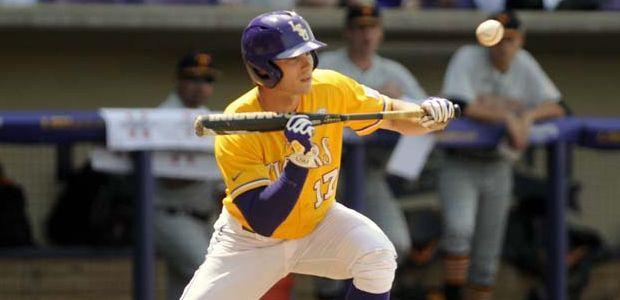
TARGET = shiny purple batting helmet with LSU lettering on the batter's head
(275,35)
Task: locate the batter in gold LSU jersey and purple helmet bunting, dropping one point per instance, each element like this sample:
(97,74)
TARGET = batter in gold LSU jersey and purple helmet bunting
(279,214)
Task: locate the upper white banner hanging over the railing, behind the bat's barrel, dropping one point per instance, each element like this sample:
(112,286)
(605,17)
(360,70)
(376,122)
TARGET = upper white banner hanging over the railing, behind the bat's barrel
(153,129)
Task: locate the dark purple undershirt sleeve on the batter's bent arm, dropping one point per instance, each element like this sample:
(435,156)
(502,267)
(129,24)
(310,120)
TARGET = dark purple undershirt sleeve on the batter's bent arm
(265,208)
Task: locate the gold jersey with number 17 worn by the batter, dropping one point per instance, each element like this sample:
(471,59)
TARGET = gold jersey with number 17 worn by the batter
(249,161)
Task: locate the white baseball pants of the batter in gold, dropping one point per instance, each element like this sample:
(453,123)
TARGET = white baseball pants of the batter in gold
(242,265)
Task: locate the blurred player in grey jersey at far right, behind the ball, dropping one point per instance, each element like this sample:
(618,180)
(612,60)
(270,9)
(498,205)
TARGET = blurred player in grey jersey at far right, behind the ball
(501,84)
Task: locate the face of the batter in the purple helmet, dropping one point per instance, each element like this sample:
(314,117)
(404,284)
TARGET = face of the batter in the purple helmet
(297,74)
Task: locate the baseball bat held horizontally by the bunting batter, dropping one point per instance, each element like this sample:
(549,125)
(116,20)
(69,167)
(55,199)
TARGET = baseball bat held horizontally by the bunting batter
(239,123)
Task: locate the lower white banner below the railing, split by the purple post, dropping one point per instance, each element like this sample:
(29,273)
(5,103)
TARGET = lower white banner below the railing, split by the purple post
(167,164)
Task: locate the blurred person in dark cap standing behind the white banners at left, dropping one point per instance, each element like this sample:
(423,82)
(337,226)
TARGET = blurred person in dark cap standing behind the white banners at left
(186,209)
